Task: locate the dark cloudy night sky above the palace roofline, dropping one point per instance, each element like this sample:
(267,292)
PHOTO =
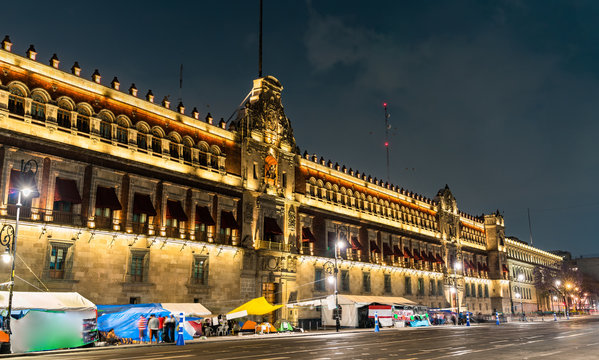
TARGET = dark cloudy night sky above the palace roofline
(498,99)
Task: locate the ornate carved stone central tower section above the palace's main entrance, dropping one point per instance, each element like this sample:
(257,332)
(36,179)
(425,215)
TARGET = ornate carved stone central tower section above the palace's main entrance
(269,161)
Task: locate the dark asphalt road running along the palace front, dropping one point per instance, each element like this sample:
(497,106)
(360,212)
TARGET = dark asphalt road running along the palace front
(575,339)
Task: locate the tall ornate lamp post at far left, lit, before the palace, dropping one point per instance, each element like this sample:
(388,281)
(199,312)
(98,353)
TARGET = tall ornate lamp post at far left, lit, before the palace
(26,187)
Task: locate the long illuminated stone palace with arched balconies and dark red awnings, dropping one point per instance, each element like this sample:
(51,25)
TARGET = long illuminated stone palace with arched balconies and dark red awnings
(143,201)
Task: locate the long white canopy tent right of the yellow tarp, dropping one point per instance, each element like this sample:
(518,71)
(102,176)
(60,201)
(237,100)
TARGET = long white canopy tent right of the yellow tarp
(349,307)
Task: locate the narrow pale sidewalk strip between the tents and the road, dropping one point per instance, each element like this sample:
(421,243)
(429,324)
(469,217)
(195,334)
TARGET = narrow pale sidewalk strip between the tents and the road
(268,337)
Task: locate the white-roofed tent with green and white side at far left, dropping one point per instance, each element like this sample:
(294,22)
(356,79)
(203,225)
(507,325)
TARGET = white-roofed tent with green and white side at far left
(49,320)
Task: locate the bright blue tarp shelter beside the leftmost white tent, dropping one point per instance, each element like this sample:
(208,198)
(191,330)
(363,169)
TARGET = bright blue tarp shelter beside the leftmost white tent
(123,318)
